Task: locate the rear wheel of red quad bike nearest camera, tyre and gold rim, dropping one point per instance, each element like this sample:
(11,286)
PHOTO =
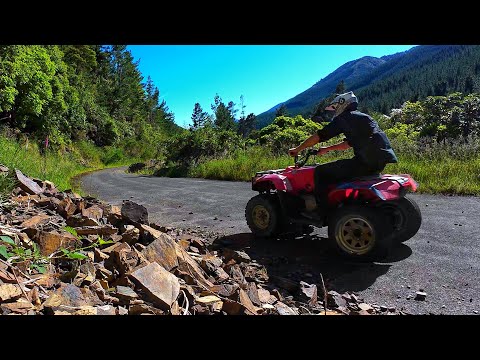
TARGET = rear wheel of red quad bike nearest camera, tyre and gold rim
(360,233)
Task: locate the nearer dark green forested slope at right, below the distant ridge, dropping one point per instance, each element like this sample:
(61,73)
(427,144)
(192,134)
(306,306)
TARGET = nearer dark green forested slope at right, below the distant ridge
(423,71)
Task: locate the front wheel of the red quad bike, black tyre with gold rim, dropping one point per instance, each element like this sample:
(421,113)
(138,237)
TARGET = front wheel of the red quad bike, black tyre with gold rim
(263,215)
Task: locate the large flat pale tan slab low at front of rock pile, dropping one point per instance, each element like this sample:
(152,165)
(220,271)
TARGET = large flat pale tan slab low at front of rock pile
(161,286)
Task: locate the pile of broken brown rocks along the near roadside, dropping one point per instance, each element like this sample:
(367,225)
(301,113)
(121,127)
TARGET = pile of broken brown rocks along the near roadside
(64,254)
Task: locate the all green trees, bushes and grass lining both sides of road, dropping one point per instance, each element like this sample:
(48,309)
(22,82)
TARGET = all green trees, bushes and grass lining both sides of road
(69,109)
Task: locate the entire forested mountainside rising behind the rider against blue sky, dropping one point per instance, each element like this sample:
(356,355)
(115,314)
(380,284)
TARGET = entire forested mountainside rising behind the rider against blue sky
(429,70)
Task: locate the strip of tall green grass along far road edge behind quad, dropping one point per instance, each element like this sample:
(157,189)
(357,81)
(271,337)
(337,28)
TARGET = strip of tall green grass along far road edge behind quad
(449,167)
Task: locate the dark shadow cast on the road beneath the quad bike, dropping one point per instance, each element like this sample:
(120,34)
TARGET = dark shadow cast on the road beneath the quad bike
(305,258)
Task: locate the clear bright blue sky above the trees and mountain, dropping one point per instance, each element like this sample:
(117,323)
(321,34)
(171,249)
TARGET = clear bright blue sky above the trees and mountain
(264,74)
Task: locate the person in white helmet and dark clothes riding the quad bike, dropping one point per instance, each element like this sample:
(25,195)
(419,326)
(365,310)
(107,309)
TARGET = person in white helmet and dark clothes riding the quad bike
(371,147)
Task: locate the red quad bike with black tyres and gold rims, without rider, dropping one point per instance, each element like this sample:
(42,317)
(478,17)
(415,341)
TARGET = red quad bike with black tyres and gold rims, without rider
(368,214)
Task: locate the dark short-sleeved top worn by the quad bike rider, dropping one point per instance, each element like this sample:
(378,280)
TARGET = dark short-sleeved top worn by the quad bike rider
(370,144)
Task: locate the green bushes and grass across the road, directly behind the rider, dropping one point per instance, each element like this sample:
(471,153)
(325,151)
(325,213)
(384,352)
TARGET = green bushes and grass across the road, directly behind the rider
(436,141)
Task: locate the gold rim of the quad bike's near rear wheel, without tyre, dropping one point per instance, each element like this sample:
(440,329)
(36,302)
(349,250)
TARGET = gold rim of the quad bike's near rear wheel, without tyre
(355,235)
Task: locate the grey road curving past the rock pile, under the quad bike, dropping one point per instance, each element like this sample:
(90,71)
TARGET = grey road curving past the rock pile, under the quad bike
(443,258)
